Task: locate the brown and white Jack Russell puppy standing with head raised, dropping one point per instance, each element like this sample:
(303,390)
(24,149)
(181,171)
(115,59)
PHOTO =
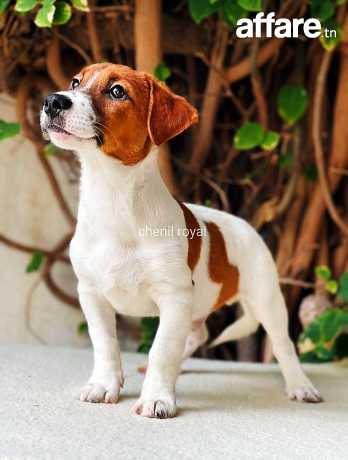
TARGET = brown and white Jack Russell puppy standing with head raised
(137,251)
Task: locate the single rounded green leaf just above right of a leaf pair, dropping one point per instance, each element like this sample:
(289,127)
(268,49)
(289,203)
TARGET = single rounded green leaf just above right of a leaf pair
(292,103)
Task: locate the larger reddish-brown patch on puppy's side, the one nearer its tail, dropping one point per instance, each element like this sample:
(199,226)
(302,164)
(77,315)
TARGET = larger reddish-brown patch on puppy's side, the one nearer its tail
(220,269)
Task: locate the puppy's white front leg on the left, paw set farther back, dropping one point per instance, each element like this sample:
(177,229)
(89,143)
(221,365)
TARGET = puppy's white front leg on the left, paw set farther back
(107,376)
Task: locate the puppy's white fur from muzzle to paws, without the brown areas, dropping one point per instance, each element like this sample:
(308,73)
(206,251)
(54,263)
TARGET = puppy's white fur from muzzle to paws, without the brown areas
(122,269)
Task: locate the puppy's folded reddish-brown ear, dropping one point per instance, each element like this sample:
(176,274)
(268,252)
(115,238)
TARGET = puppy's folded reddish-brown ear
(168,114)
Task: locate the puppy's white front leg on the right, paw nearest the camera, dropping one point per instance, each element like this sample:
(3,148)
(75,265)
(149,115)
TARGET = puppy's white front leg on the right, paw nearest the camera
(158,393)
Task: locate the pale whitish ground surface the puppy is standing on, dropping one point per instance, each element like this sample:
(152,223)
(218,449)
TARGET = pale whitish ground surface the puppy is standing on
(227,411)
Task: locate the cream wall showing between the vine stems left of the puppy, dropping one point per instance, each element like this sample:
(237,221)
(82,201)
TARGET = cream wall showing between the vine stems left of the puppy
(29,214)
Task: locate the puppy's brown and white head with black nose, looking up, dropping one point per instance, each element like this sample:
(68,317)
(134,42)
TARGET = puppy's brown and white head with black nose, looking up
(119,110)
